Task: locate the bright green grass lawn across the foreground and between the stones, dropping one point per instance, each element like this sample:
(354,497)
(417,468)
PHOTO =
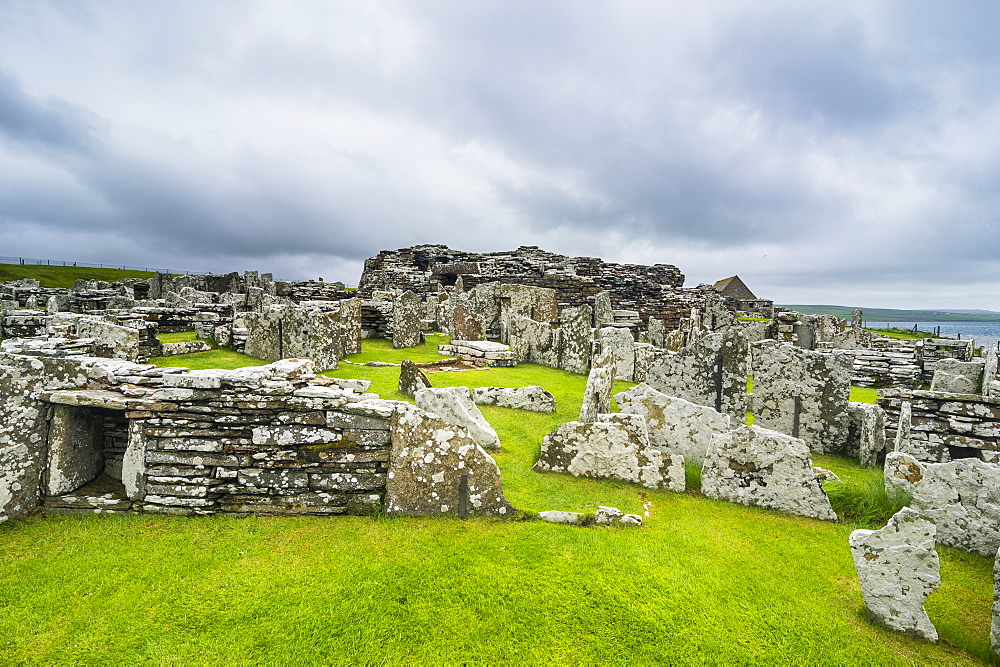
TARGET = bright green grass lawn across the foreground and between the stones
(701,581)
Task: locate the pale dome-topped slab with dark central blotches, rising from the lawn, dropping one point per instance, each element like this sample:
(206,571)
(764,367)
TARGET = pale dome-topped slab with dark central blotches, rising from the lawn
(754,466)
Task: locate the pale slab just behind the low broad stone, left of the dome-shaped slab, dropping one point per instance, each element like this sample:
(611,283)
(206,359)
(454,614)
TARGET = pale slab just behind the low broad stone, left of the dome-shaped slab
(675,426)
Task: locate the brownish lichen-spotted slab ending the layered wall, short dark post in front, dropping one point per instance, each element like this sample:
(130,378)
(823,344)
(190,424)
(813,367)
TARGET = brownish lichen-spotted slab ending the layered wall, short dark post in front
(428,459)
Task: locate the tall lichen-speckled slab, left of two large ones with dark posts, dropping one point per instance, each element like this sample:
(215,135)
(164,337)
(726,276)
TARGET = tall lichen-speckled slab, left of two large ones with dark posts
(691,373)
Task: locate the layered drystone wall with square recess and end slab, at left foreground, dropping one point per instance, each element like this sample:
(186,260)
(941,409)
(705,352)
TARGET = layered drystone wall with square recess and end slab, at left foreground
(88,434)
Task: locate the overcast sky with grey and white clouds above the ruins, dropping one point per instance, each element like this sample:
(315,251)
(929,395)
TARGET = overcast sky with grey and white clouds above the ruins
(827,152)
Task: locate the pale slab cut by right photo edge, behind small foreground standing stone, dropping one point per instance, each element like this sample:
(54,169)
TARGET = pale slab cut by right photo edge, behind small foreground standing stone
(961,497)
